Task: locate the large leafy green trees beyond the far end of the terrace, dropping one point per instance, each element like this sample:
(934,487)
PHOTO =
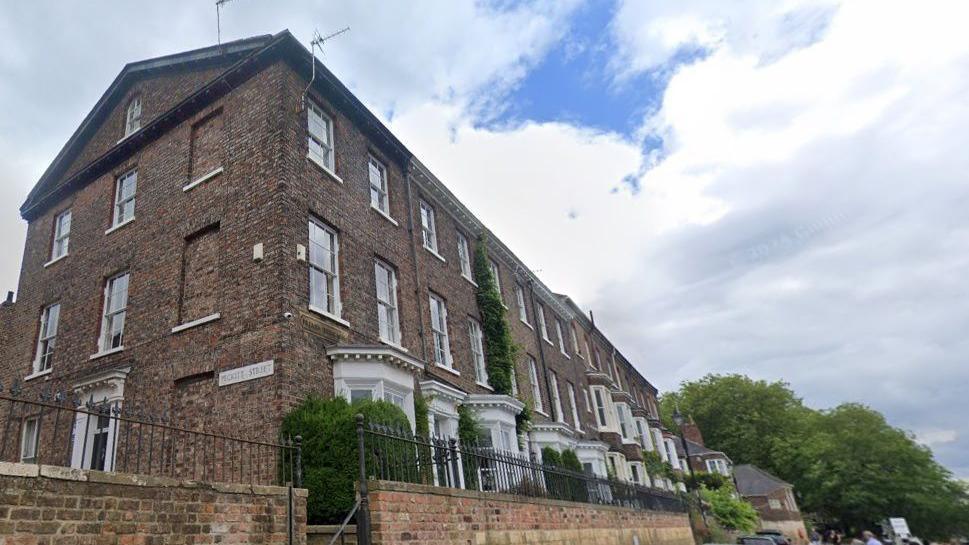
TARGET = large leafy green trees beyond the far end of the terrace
(849,466)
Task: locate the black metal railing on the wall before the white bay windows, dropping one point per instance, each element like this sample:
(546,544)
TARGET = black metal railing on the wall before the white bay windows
(393,454)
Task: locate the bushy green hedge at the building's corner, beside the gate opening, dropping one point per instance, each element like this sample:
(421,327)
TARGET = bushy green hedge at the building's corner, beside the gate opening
(330,467)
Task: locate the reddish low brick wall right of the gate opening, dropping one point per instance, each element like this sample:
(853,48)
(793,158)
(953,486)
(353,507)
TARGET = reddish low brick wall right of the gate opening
(426,515)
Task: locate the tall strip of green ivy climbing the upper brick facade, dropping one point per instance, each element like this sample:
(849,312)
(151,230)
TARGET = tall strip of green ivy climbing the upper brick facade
(500,349)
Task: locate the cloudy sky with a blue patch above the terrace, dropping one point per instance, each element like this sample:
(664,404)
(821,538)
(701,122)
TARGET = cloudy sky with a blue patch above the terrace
(773,188)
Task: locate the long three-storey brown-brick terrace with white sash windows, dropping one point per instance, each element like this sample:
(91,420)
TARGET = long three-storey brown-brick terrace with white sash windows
(229,231)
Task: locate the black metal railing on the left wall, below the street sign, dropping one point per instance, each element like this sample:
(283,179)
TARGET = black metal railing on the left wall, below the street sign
(62,429)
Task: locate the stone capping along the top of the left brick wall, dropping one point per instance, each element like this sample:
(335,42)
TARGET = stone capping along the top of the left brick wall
(11,469)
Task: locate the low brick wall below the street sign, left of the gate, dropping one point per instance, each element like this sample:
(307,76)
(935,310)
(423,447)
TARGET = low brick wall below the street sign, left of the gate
(47,505)
